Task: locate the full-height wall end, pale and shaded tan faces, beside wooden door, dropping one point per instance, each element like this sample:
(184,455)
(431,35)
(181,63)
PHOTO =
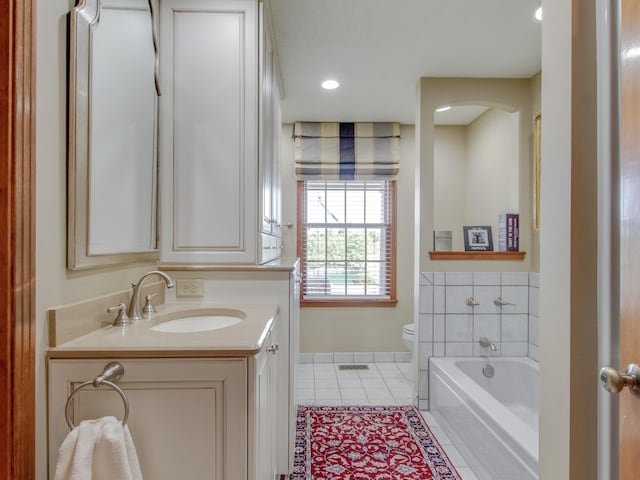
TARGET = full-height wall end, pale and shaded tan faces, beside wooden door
(569,266)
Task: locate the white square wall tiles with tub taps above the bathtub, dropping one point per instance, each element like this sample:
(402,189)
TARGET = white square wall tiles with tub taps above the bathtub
(447,326)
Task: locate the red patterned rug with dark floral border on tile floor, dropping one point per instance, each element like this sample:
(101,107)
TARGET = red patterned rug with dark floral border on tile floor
(367,443)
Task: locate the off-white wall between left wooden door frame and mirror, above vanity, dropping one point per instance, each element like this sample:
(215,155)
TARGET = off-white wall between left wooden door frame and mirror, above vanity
(55,285)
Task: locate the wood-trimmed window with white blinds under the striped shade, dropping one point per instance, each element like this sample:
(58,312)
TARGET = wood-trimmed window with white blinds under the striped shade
(346,242)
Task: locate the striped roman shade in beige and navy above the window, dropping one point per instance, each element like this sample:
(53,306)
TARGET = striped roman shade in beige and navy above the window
(346,151)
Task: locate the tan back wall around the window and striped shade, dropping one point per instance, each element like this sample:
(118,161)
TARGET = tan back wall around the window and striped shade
(359,329)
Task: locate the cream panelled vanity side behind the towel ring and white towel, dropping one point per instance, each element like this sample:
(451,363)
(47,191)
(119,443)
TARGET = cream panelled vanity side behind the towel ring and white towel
(187,416)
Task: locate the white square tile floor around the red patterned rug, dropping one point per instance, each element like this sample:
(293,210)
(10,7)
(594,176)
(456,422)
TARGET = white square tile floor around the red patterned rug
(381,384)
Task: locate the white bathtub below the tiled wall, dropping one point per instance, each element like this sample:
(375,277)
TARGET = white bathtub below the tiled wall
(492,421)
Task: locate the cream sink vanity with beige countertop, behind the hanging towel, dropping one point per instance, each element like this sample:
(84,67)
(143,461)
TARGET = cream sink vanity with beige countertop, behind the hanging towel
(201,403)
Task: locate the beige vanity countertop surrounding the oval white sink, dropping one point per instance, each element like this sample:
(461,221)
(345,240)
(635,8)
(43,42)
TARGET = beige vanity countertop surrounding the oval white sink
(138,340)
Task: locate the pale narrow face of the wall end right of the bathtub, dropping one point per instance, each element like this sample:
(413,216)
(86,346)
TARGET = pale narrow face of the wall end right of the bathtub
(555,249)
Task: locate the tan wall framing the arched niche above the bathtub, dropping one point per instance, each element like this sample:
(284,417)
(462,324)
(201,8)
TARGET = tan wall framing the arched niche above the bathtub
(507,94)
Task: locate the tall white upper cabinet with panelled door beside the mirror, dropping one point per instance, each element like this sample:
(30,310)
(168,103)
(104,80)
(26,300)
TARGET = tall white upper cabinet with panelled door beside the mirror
(217,135)
